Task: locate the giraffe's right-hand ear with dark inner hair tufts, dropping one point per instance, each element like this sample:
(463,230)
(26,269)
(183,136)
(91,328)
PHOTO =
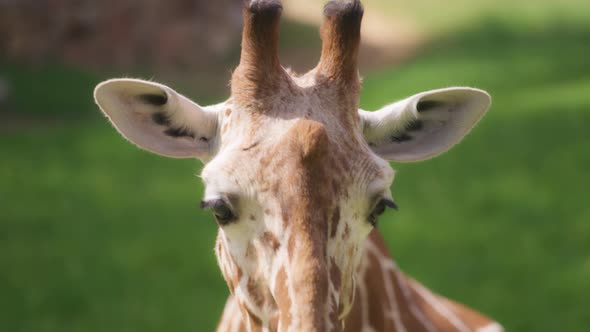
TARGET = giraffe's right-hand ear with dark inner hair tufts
(425,125)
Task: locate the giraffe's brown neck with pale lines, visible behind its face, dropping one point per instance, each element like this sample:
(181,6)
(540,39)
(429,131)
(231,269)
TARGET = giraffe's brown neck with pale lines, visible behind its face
(388,300)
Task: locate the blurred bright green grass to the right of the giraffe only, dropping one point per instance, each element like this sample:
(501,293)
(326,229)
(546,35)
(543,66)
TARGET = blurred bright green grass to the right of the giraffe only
(501,222)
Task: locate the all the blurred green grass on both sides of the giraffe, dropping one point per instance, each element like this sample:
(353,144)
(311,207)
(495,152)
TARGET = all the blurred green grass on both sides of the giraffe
(97,235)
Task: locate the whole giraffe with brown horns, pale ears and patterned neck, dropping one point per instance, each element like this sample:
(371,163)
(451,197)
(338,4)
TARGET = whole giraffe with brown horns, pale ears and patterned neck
(296,176)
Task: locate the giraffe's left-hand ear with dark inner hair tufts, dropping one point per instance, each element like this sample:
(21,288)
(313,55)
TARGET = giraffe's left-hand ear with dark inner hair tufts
(157,118)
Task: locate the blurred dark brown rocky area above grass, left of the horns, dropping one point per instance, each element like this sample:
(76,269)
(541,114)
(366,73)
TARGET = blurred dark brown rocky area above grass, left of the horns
(174,33)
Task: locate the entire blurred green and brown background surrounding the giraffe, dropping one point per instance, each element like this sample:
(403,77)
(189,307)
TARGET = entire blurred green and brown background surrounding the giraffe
(96,235)
